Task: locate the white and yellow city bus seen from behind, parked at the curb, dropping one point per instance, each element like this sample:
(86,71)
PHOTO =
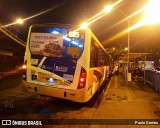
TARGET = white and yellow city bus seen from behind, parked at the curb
(64,62)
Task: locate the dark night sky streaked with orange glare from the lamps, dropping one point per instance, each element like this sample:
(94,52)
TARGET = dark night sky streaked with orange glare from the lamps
(142,39)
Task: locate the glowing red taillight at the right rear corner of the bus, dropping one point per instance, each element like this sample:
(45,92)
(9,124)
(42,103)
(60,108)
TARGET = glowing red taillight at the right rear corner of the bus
(82,79)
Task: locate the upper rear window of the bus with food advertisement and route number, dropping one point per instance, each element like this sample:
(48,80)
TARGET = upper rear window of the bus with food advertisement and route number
(56,42)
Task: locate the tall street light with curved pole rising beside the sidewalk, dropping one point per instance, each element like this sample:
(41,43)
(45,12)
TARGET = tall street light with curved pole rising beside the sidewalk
(107,9)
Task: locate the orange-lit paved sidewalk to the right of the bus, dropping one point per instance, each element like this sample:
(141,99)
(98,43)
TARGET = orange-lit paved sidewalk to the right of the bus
(128,101)
